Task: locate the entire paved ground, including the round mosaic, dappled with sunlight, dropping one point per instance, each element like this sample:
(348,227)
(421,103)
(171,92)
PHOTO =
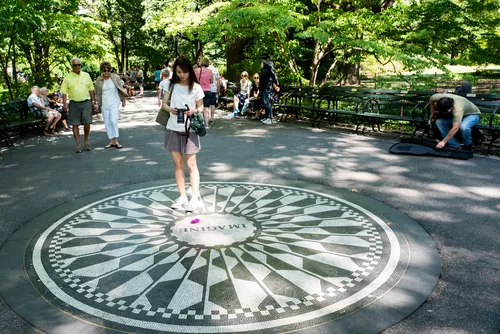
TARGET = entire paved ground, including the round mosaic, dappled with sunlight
(300,229)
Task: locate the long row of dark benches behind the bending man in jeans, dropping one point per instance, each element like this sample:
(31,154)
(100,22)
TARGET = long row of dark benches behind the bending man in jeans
(369,107)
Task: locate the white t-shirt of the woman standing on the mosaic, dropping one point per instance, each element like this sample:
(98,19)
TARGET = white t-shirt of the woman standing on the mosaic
(181,96)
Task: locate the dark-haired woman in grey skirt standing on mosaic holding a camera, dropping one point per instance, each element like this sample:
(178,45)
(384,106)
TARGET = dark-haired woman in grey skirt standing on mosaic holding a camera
(184,90)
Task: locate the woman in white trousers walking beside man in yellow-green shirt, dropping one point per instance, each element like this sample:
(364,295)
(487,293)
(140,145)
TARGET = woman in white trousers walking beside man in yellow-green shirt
(110,94)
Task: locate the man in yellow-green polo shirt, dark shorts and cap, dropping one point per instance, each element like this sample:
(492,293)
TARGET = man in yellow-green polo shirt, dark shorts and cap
(80,88)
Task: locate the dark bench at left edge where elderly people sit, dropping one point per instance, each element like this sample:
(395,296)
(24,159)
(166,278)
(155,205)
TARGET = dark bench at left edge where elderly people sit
(16,115)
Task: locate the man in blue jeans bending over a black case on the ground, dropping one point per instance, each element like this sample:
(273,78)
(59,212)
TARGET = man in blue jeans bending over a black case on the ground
(454,113)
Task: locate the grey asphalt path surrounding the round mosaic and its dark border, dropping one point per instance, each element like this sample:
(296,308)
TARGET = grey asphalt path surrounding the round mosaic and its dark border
(456,202)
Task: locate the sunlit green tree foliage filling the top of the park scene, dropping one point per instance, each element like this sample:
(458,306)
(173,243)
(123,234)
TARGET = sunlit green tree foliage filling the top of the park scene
(312,41)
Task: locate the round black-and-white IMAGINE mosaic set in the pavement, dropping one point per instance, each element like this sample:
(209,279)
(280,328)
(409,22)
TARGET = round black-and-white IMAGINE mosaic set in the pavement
(256,257)
